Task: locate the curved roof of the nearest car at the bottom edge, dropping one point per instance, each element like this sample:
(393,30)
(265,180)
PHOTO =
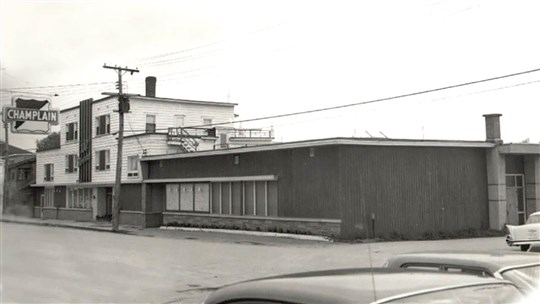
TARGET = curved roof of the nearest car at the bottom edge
(343,286)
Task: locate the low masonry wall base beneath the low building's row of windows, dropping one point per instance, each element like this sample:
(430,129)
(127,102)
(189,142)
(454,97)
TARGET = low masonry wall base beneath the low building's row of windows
(300,226)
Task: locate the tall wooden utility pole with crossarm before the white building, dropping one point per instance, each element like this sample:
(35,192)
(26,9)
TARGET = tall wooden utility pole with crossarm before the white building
(123,107)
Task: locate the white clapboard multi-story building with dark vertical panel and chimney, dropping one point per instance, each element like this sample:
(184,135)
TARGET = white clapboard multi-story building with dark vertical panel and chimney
(76,180)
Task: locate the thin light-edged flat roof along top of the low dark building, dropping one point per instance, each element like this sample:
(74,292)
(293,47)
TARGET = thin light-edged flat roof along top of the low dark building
(329,142)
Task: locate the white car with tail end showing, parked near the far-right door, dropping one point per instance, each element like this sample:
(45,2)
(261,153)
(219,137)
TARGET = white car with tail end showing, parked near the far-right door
(524,235)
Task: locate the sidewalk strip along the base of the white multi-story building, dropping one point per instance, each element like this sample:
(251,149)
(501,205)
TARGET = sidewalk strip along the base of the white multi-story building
(95,226)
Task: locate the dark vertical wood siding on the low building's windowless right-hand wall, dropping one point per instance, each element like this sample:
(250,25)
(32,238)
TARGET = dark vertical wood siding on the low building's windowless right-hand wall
(412,190)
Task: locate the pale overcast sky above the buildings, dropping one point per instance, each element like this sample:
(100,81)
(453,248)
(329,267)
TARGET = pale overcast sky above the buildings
(278,57)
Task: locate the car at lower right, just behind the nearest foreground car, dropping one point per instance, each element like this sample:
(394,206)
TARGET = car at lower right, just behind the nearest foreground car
(522,269)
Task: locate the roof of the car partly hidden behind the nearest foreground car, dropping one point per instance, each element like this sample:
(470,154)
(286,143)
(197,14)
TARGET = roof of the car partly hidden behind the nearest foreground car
(490,261)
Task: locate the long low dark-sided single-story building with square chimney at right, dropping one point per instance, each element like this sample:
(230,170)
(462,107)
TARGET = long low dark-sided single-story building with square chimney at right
(350,188)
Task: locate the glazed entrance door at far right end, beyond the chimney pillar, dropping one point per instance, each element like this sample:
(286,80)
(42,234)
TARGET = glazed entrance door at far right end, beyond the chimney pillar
(515,199)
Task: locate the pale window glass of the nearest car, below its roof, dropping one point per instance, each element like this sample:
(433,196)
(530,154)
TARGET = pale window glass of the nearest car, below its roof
(493,293)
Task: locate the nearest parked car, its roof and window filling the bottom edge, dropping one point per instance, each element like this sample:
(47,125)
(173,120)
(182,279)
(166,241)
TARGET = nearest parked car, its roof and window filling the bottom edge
(368,285)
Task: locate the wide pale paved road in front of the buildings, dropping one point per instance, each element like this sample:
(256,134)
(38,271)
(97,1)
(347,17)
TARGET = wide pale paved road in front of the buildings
(51,265)
